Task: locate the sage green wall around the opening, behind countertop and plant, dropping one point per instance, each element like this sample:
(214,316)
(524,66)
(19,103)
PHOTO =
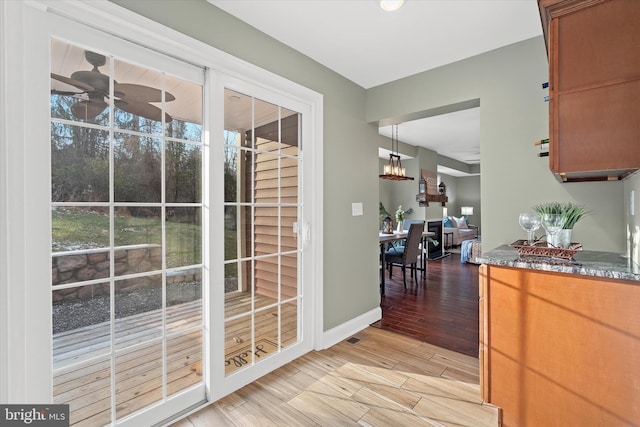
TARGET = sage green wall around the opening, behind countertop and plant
(513,115)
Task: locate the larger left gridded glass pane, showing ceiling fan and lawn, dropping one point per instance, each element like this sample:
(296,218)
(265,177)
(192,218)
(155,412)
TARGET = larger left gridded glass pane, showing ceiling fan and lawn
(126,173)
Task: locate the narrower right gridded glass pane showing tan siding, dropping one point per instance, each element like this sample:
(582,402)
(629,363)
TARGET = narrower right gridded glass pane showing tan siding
(262,297)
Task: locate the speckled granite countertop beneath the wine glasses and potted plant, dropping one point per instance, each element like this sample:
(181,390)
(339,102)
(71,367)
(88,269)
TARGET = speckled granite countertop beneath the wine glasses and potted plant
(587,263)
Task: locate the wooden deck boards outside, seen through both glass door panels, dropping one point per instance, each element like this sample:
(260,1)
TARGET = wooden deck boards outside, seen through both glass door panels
(82,357)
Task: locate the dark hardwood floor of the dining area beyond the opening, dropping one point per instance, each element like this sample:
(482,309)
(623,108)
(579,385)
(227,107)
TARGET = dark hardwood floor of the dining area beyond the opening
(441,309)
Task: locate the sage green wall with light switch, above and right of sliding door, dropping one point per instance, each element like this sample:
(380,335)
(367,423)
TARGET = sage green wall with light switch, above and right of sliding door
(350,148)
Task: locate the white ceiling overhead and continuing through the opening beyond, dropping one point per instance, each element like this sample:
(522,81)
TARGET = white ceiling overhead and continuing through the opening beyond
(368,46)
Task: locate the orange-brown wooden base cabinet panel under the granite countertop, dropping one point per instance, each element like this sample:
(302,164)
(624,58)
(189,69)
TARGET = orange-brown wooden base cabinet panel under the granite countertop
(559,349)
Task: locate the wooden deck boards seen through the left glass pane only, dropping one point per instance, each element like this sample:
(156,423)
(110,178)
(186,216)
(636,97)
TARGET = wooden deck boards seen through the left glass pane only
(82,363)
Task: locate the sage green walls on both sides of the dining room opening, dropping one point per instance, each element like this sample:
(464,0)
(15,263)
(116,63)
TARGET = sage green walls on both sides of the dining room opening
(513,115)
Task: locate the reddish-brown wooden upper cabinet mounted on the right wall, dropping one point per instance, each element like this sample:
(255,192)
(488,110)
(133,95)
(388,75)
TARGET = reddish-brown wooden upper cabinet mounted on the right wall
(594,87)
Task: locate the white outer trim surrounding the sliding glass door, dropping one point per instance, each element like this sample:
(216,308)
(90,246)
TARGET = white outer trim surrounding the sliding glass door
(21,370)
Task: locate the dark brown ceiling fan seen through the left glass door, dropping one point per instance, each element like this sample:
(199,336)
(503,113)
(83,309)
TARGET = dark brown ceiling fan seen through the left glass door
(132,98)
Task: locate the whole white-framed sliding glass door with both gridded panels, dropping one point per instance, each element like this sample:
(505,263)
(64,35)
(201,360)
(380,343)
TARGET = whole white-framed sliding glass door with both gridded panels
(165,257)
